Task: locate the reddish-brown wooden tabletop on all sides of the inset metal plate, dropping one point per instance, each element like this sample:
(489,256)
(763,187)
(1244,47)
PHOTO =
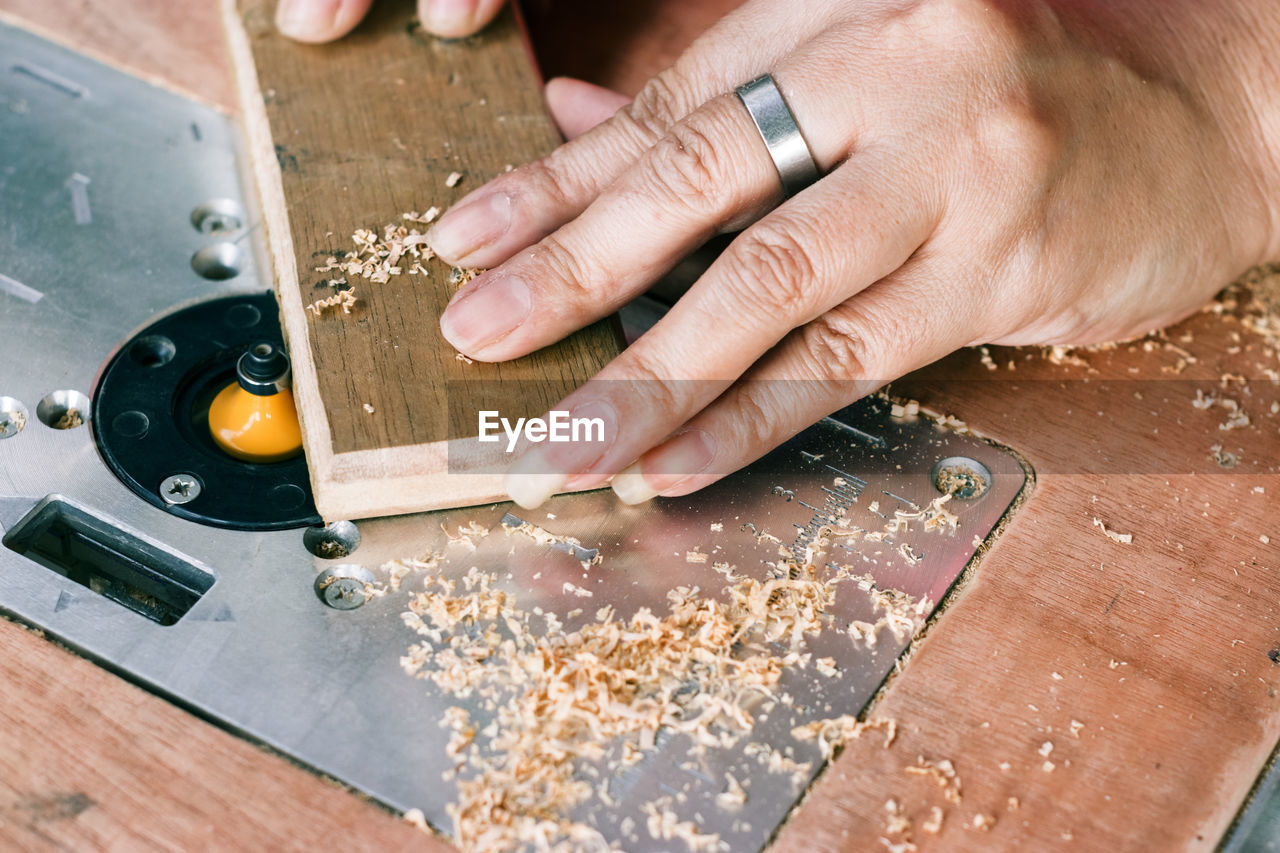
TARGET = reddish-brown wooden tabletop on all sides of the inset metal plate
(1145,665)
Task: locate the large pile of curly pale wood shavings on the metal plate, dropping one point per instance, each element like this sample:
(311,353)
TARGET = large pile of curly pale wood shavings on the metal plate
(606,690)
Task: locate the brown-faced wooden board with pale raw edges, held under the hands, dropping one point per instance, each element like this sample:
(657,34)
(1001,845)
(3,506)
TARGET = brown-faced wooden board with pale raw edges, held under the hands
(351,136)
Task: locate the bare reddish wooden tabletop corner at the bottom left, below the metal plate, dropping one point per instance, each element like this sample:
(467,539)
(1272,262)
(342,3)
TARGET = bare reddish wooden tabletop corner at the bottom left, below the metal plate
(90,763)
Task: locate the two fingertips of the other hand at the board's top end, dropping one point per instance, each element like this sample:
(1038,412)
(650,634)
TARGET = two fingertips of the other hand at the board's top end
(318,21)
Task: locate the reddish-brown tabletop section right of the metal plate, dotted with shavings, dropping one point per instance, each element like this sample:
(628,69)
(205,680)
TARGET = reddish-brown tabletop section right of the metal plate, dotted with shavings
(1160,649)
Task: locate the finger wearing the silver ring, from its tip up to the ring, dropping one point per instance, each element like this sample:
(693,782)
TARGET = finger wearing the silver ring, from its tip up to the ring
(685,189)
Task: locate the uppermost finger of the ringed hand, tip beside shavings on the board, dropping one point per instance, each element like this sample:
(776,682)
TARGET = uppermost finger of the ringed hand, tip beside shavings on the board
(522,207)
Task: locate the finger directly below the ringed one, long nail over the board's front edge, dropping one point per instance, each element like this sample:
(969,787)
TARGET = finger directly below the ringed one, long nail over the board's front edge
(780,275)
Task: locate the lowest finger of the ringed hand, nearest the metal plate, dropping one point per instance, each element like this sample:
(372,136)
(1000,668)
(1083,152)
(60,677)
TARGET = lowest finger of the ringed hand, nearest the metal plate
(898,326)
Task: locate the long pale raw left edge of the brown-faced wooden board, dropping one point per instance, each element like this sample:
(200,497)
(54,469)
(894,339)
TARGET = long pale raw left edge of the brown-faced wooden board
(317,431)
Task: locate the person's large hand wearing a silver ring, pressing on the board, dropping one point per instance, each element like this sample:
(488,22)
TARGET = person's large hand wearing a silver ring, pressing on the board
(996,172)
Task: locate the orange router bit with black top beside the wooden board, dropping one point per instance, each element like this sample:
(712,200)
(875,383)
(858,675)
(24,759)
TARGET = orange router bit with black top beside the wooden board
(254,418)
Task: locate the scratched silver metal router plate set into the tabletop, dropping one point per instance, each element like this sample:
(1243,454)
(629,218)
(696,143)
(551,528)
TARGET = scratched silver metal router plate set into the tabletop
(86,261)
